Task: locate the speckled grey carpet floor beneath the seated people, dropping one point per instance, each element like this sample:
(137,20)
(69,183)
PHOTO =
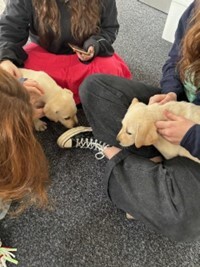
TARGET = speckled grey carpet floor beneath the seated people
(85,229)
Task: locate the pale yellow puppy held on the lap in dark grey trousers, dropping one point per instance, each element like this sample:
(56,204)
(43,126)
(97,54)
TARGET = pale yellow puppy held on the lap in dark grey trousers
(138,126)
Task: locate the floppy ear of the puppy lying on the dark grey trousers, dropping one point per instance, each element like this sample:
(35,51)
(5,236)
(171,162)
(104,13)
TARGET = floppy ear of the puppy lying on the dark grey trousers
(145,135)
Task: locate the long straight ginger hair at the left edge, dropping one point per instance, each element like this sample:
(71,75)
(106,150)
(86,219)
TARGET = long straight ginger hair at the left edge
(23,165)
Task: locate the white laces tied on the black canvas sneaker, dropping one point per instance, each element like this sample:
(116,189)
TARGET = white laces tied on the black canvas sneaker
(92,144)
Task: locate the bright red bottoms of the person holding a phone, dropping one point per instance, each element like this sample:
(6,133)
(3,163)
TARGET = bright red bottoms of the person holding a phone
(68,71)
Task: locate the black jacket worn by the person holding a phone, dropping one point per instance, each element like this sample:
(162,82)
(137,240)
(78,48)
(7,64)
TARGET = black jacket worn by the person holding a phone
(17,24)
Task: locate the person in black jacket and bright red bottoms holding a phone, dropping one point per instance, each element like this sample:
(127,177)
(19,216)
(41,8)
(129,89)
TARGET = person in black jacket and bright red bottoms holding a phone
(52,26)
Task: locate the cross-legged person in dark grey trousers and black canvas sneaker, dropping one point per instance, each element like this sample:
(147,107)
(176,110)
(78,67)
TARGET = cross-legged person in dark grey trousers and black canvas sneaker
(165,195)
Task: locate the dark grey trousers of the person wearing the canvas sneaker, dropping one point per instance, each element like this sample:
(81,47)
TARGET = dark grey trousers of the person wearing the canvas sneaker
(165,196)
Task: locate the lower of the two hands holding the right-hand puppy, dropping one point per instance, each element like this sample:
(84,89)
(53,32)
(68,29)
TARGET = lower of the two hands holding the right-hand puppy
(174,128)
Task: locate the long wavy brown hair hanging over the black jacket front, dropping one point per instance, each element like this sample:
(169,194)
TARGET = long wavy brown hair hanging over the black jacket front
(85,19)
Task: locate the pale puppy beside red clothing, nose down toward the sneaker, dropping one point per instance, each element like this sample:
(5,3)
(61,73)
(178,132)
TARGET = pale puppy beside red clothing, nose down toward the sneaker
(59,104)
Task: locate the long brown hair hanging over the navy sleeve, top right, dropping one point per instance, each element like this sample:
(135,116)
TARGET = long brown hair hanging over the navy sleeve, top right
(189,64)
